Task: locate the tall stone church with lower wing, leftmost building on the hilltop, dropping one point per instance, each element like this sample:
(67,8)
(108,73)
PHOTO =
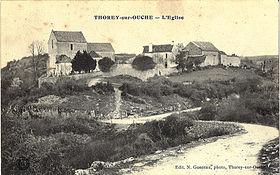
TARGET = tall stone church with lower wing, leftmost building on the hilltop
(68,43)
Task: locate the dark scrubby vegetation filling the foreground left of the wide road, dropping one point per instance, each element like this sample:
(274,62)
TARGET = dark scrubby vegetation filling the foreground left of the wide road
(58,145)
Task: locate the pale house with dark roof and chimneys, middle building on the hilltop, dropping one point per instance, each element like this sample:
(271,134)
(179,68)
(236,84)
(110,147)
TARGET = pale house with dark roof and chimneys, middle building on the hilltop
(161,54)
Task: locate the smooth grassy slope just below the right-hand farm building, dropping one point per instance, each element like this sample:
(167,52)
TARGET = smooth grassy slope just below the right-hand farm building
(215,74)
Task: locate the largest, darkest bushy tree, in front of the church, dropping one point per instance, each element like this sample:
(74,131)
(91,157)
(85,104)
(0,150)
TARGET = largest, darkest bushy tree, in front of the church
(83,62)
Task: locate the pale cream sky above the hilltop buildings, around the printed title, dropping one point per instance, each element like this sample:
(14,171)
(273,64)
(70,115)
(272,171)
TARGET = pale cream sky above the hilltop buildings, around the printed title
(243,27)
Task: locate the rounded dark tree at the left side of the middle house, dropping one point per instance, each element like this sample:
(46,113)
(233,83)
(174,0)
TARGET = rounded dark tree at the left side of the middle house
(143,63)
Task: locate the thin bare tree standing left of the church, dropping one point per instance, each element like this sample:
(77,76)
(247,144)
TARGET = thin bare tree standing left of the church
(36,49)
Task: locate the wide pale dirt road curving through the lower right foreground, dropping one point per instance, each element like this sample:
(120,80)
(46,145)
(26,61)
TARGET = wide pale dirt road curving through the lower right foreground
(233,155)
